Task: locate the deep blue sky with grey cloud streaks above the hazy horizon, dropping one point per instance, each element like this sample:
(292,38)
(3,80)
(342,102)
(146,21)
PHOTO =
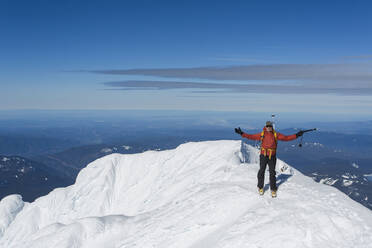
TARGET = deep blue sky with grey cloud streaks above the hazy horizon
(275,56)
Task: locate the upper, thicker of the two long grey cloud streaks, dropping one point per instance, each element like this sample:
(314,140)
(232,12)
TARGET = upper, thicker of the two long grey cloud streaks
(323,72)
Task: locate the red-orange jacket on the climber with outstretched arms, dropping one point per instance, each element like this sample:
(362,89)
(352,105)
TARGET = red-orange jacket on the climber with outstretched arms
(268,141)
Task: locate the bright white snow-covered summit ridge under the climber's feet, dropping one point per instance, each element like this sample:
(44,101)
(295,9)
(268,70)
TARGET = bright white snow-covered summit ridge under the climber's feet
(197,195)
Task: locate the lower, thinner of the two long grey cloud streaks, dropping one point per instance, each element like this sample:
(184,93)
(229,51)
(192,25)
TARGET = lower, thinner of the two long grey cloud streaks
(199,87)
